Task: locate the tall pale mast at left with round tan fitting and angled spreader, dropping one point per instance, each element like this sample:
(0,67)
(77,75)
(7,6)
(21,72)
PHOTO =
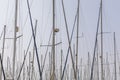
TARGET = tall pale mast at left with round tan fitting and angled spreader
(14,43)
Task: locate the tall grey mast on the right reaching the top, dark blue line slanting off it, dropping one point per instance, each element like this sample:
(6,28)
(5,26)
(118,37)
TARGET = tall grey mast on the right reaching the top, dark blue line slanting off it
(102,74)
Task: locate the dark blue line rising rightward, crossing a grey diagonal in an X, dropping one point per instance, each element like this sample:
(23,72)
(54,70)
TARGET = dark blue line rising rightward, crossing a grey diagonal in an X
(69,47)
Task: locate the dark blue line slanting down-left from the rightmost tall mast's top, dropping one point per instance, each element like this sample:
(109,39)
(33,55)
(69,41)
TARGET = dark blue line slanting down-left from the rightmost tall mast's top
(91,76)
